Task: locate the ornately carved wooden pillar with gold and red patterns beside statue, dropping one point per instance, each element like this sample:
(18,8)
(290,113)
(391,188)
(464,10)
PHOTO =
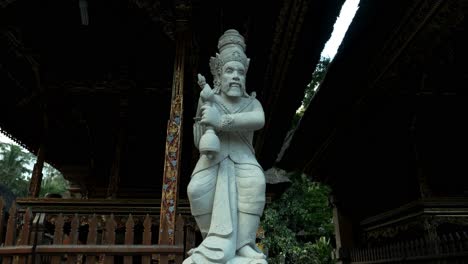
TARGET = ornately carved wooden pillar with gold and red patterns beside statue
(174,133)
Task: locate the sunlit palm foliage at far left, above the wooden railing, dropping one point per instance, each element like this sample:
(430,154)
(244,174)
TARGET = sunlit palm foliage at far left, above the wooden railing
(15,170)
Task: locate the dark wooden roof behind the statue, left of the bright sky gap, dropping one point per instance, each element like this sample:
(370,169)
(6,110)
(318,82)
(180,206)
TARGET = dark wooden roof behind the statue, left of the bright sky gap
(110,81)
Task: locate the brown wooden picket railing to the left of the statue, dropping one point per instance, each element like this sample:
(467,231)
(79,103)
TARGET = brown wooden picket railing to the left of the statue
(78,239)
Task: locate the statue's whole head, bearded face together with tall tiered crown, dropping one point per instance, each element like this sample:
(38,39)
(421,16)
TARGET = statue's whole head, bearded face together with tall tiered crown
(229,67)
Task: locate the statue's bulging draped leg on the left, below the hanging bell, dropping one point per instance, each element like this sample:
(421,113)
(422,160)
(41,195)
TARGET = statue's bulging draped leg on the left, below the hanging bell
(200,192)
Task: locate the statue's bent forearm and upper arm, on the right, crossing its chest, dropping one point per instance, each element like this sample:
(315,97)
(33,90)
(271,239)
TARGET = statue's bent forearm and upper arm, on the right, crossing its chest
(246,121)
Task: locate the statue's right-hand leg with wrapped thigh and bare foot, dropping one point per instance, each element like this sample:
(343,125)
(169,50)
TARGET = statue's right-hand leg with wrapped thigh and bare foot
(251,201)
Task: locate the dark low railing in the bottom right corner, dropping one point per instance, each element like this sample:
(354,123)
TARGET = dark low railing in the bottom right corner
(451,248)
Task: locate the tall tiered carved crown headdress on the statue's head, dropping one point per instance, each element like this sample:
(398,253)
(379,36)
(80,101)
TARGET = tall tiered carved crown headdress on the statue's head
(231,46)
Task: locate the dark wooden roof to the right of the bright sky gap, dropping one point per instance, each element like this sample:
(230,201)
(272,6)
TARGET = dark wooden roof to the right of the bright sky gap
(387,124)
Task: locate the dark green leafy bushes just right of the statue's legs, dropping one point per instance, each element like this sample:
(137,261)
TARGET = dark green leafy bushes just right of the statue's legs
(298,226)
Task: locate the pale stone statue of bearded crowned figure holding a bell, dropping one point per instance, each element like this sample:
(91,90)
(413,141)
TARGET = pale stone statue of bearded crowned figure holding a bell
(227,187)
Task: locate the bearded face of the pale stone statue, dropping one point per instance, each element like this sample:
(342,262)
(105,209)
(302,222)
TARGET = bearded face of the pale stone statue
(233,79)
